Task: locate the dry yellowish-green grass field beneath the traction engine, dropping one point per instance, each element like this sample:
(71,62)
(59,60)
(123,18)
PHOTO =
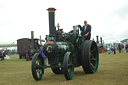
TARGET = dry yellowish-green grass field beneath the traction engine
(113,70)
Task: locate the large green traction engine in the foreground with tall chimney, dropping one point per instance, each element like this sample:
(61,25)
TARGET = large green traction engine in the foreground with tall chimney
(65,51)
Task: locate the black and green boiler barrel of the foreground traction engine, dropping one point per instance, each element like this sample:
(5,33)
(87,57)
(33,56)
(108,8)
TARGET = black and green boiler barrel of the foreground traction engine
(53,49)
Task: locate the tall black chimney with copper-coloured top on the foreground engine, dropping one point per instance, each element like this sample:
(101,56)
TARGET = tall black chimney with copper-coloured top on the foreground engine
(52,29)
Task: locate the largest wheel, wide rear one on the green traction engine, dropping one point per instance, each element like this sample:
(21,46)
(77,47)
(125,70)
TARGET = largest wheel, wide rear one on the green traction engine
(89,56)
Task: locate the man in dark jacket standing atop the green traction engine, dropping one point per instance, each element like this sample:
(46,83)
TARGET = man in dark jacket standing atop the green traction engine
(87,31)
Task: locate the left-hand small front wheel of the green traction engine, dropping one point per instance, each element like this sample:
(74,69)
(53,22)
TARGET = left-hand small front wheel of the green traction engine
(36,67)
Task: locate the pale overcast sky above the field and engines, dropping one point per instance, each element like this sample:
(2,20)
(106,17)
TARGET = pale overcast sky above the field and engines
(108,18)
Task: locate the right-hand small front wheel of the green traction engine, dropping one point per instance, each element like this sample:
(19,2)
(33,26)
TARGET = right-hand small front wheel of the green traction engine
(68,66)
